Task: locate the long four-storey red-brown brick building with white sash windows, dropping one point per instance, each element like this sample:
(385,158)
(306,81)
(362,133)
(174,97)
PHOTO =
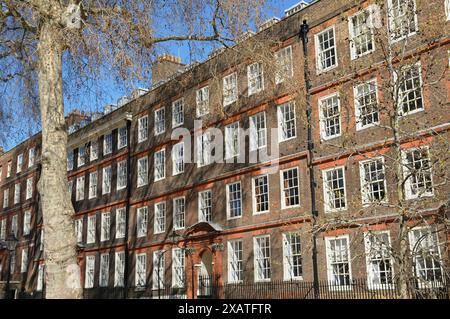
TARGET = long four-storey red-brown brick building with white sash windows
(147,217)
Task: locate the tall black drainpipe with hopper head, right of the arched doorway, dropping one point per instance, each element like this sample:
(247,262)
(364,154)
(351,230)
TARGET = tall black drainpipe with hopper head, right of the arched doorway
(304,29)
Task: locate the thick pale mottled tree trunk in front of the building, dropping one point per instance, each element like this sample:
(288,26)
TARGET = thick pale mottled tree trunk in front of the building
(62,270)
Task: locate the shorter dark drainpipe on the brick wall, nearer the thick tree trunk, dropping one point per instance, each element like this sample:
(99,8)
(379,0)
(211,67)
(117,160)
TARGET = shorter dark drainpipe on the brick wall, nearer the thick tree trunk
(127,205)
